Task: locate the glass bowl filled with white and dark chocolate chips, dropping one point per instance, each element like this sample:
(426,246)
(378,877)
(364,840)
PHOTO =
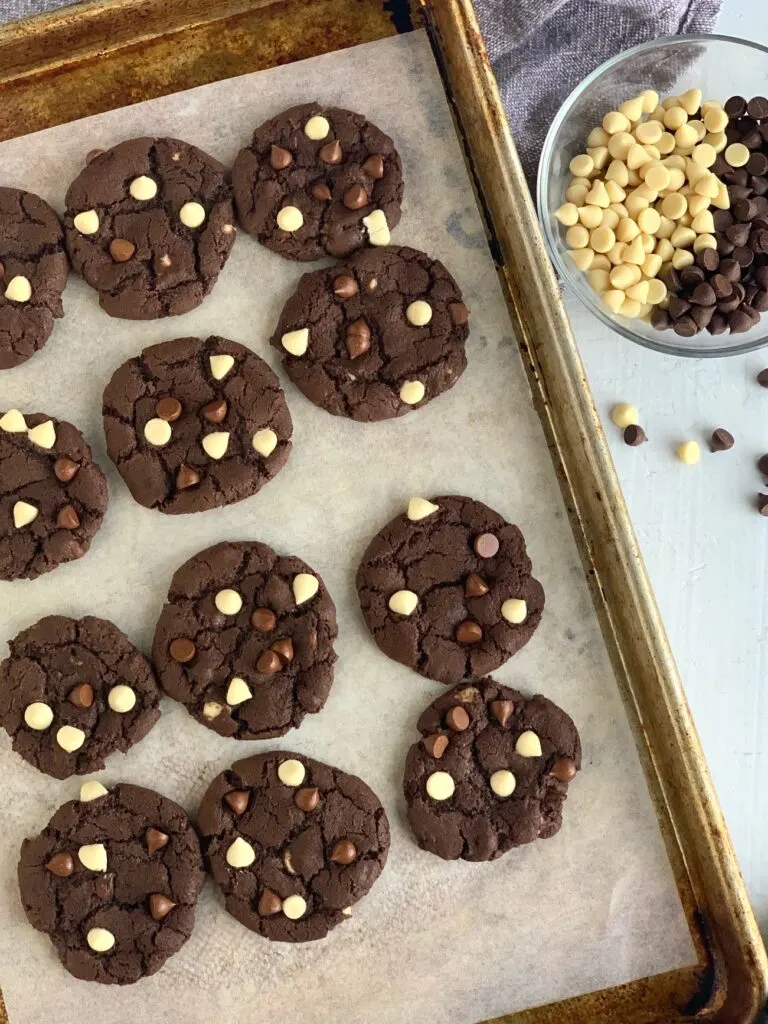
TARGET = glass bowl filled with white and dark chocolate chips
(654,195)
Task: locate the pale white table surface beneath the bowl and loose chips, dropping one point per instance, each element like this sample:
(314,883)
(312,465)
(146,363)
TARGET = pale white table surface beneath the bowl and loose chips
(705,545)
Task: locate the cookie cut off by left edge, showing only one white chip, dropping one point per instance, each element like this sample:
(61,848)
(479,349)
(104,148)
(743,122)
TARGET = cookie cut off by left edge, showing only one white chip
(33,275)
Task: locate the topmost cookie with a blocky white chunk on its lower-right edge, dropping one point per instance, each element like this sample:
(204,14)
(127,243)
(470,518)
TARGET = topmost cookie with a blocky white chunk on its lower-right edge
(319,182)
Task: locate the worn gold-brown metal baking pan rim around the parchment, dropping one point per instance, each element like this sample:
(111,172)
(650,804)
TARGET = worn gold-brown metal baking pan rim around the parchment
(98,57)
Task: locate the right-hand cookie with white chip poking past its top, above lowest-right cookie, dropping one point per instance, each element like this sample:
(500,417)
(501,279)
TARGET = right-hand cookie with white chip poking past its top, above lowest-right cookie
(446,588)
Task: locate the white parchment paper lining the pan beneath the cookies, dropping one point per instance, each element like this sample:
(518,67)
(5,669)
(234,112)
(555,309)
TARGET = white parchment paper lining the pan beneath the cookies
(433,943)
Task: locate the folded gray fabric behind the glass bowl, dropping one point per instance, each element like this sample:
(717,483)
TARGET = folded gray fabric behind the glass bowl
(542,50)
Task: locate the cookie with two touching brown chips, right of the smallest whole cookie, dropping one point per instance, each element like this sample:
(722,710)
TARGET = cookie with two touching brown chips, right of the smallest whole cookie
(246,641)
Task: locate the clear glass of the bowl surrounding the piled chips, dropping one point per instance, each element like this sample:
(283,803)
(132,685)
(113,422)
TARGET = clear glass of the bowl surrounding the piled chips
(721,67)
